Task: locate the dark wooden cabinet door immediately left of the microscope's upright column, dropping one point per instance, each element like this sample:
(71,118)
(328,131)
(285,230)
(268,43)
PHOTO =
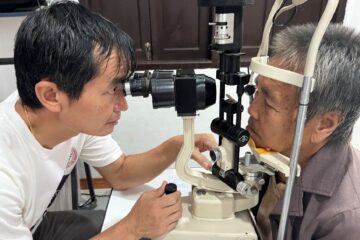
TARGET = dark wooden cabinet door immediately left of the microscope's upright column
(179,30)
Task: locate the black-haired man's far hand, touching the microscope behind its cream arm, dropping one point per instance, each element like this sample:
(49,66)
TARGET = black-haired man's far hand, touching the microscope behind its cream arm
(203,142)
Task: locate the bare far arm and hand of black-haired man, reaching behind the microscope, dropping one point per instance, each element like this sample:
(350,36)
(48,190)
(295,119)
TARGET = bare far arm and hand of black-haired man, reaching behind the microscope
(136,169)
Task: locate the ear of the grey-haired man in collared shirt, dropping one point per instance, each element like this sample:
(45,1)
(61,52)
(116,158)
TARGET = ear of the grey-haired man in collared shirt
(324,126)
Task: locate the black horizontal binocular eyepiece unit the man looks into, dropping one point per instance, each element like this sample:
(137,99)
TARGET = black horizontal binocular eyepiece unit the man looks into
(185,90)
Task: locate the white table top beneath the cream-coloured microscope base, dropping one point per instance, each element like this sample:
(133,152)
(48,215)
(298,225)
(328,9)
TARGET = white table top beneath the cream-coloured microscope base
(121,202)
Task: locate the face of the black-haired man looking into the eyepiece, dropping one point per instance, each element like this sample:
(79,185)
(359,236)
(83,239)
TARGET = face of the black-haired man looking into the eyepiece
(100,105)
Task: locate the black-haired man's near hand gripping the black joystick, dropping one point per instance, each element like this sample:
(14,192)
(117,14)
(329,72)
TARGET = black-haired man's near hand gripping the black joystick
(155,213)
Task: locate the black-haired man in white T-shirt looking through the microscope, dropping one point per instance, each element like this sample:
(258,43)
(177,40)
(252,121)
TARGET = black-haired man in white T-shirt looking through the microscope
(70,64)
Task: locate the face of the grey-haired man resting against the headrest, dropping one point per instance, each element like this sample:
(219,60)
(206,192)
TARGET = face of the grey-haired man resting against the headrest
(273,115)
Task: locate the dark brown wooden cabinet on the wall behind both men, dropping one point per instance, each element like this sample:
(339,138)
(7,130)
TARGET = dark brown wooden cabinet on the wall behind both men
(175,33)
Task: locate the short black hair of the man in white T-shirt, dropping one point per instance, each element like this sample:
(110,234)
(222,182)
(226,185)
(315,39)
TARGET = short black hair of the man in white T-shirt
(67,44)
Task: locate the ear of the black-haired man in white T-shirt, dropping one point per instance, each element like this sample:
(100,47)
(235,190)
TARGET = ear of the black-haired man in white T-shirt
(49,95)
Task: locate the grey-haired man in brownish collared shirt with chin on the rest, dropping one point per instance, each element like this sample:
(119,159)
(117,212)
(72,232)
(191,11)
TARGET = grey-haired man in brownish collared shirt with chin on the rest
(326,197)
